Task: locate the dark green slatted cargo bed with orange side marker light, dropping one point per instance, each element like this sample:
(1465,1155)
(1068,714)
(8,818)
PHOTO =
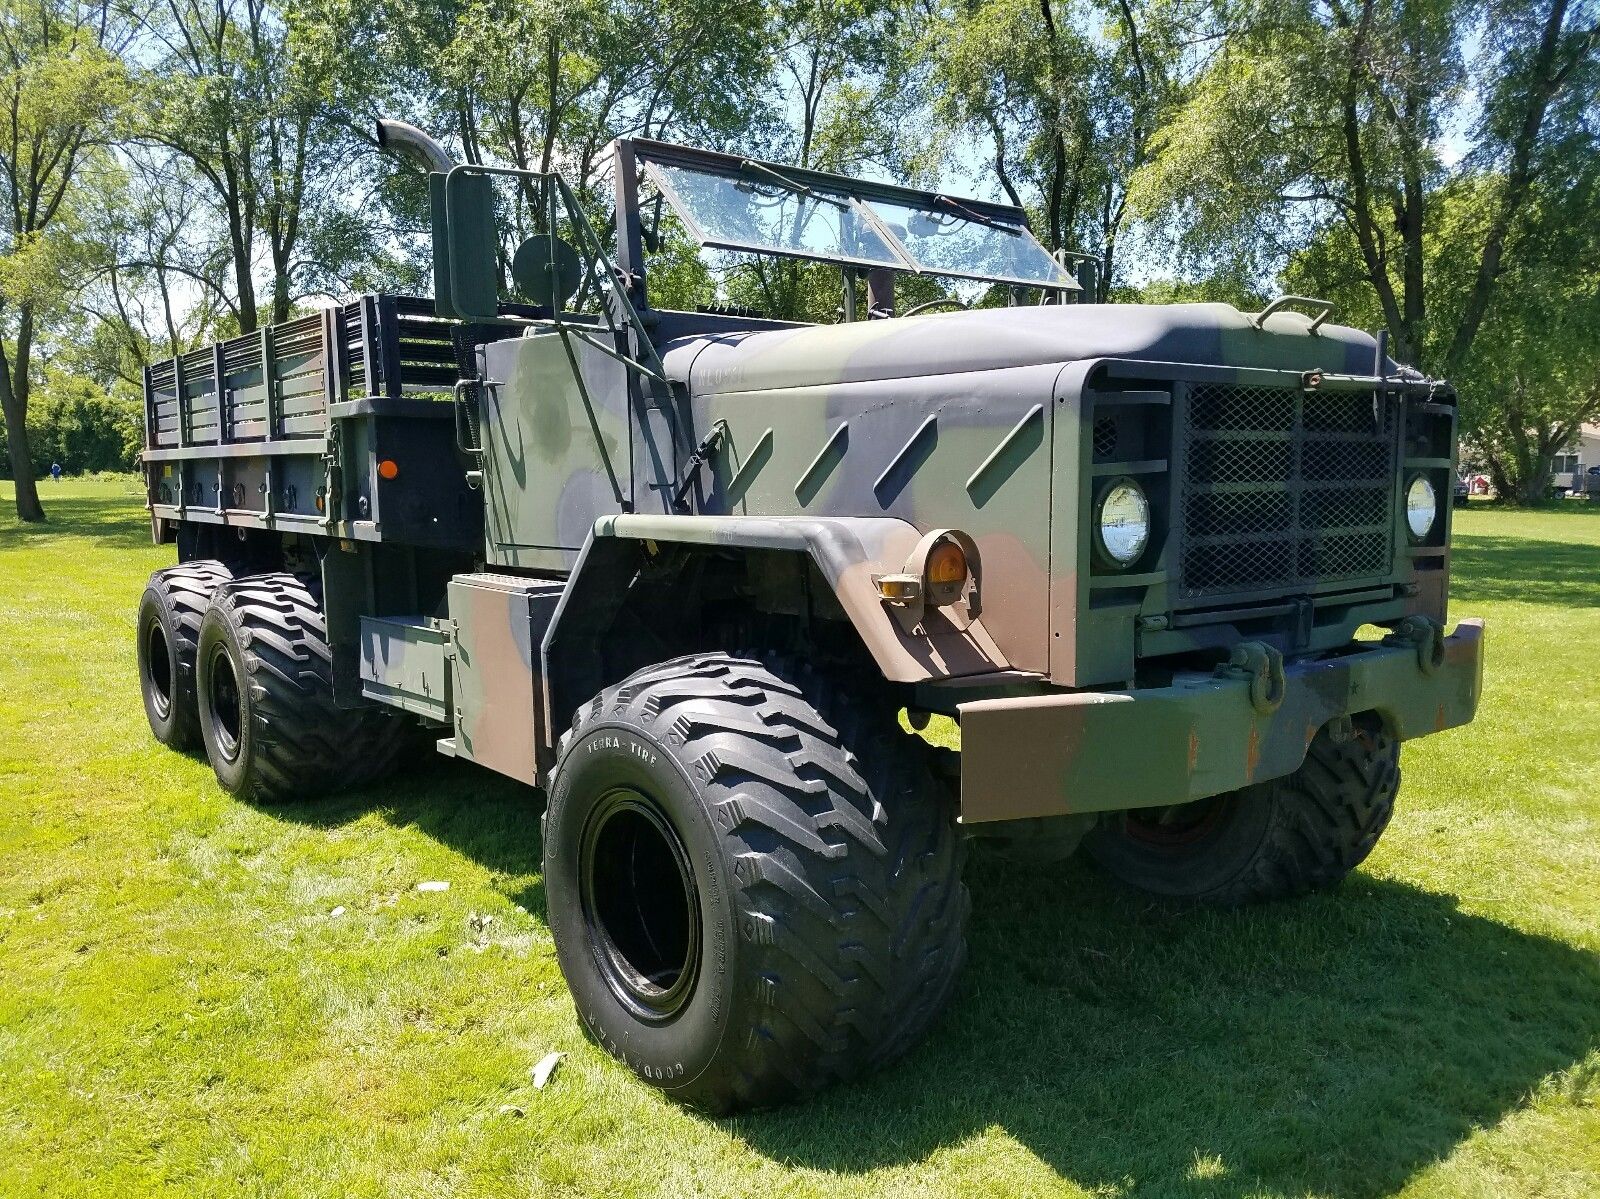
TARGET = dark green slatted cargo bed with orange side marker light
(284,428)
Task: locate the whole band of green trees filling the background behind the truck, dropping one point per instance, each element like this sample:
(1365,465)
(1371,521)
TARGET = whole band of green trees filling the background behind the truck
(201,169)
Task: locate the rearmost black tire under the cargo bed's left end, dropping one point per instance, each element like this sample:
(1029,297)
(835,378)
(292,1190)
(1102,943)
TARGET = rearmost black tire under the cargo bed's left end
(169,624)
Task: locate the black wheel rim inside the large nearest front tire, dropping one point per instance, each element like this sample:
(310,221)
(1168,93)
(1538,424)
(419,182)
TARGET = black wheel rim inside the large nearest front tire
(641,905)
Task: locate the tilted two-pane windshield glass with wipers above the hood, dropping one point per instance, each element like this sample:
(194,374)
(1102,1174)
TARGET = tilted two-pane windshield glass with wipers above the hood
(745,206)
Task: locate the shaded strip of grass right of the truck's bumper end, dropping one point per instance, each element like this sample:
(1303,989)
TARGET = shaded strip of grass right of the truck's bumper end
(1522,571)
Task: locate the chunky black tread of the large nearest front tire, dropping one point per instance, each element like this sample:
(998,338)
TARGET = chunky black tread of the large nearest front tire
(847,864)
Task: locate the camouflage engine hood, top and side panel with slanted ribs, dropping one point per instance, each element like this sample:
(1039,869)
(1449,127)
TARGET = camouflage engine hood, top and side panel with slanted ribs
(974,420)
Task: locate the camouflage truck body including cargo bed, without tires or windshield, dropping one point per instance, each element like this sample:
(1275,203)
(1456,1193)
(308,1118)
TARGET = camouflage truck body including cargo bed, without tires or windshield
(847,446)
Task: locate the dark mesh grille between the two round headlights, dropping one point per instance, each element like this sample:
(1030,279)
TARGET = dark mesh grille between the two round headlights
(1282,489)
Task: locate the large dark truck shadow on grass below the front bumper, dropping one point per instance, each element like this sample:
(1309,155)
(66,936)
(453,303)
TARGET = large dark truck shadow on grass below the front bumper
(1337,1045)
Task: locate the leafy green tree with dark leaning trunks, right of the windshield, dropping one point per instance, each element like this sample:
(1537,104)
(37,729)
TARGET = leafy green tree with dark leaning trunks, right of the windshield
(1332,146)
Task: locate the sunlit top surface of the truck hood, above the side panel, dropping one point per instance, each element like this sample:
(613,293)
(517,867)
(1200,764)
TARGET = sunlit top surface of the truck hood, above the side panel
(951,343)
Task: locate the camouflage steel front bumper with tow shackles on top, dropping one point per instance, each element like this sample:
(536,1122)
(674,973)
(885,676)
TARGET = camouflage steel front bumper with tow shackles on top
(1103,752)
